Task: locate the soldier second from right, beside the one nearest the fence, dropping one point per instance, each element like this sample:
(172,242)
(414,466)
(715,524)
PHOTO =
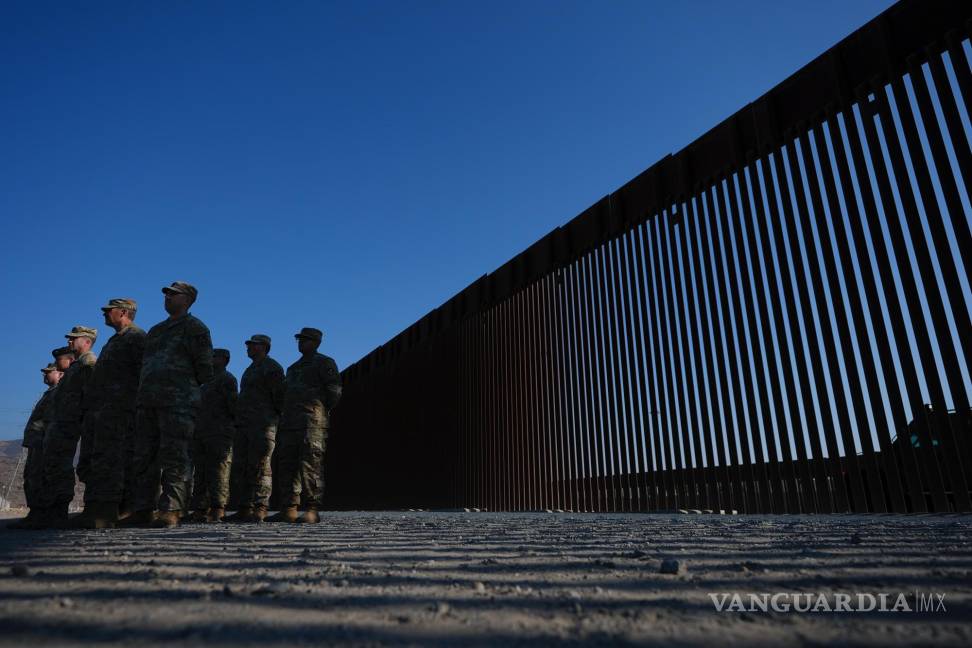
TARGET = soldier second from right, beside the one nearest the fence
(261,402)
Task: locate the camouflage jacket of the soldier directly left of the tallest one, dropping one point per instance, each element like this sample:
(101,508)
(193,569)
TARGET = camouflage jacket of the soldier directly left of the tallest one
(114,382)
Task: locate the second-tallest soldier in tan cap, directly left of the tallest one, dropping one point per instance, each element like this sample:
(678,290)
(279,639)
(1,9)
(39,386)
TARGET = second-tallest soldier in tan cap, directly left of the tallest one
(110,420)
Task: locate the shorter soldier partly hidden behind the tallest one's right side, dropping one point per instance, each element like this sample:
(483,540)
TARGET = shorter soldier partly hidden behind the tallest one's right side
(213,442)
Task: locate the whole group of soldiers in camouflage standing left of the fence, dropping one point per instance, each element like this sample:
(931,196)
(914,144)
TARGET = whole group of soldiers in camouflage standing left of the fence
(163,431)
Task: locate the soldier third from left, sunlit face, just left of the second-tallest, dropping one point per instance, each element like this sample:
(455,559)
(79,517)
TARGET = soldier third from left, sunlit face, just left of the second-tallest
(62,436)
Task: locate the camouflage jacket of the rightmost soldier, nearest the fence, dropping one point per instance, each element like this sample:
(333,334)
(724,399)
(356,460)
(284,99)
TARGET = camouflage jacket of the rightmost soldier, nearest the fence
(313,389)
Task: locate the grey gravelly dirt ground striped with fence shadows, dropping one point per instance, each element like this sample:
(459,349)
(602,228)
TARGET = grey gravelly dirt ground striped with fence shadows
(485,579)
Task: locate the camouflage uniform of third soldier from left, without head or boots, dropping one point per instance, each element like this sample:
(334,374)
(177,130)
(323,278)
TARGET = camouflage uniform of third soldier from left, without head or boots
(62,436)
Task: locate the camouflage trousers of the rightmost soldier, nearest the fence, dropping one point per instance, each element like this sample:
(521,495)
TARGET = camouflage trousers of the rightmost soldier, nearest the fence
(300,454)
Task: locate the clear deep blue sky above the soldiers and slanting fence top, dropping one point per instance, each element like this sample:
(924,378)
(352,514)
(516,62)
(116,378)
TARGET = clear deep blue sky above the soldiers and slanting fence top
(347,166)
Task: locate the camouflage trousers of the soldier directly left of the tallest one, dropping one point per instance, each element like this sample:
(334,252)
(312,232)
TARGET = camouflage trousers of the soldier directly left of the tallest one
(110,474)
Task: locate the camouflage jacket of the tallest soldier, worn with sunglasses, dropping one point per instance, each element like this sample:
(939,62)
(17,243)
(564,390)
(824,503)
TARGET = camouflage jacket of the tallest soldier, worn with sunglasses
(178,360)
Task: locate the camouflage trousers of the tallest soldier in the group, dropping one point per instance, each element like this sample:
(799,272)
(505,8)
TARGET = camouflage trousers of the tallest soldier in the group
(162,439)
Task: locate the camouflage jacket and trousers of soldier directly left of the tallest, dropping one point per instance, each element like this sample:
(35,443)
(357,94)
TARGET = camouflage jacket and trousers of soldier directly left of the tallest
(110,405)
